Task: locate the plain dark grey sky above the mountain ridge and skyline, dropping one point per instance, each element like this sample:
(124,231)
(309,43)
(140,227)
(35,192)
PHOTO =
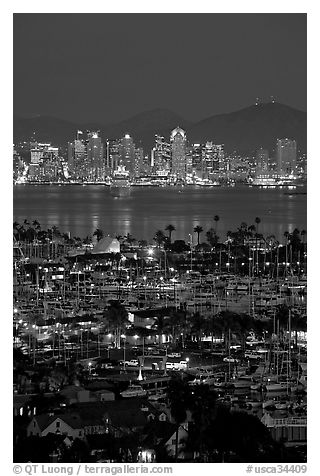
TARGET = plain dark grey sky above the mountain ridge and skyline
(108,67)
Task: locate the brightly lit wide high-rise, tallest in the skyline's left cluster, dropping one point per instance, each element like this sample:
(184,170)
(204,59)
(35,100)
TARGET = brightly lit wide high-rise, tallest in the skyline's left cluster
(95,156)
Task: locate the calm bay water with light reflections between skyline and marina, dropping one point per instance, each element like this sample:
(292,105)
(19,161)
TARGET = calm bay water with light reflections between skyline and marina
(81,210)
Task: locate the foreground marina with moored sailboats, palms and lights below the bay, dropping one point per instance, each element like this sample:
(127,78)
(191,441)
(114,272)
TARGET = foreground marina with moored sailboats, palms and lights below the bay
(108,327)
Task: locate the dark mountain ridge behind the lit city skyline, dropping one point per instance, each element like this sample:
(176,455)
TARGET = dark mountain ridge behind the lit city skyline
(244,131)
